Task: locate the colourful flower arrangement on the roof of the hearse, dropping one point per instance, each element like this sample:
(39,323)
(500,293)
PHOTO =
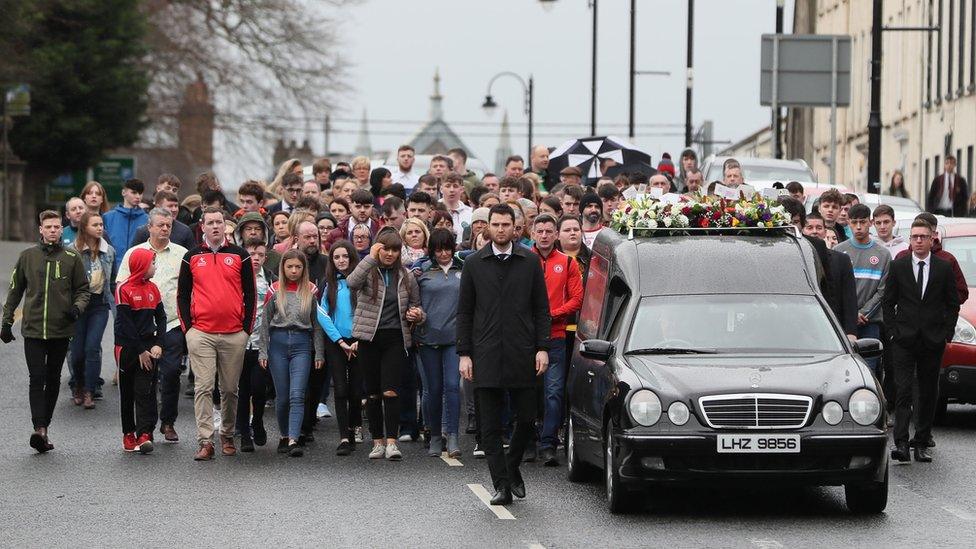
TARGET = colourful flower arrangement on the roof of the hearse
(699,212)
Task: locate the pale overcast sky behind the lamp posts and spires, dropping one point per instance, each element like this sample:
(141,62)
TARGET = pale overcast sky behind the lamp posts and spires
(394,47)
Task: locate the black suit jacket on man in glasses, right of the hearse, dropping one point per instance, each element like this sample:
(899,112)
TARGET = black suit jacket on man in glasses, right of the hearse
(928,321)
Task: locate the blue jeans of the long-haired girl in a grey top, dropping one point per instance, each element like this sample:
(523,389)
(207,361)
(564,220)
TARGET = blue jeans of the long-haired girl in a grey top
(290,359)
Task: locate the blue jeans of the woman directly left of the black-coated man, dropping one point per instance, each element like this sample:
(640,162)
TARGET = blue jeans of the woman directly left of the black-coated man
(441,380)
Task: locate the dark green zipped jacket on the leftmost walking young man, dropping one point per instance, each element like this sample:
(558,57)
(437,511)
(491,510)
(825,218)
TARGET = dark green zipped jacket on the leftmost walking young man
(52,282)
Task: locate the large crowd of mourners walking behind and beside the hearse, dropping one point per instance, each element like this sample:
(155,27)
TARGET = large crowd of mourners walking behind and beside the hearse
(377,286)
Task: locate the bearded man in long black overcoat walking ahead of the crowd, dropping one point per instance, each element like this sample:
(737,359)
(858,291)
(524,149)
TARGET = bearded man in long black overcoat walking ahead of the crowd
(503,294)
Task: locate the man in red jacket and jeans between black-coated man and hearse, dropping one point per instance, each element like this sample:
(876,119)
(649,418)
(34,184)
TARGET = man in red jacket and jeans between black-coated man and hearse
(564,285)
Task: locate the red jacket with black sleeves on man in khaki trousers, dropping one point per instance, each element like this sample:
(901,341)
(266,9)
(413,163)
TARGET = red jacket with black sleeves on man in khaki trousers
(216,292)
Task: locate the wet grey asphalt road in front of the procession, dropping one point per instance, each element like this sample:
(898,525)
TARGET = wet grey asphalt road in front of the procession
(87,492)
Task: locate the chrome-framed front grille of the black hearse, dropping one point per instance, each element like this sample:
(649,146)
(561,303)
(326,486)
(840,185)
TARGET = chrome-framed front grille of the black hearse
(755,411)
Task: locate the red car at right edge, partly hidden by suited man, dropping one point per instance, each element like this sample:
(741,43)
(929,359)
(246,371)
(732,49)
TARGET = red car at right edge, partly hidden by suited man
(957,380)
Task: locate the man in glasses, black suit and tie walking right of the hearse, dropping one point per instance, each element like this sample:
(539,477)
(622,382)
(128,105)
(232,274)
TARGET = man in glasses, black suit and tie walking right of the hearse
(921,306)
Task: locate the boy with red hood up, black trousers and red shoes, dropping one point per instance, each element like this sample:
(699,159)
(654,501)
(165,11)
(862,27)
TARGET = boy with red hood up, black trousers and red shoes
(140,323)
